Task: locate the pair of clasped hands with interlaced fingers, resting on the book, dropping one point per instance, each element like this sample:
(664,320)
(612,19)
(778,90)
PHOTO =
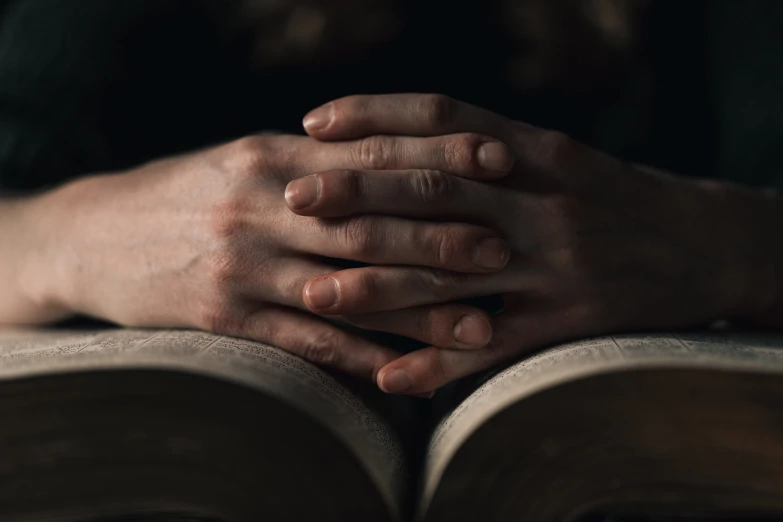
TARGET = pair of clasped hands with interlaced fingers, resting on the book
(443,201)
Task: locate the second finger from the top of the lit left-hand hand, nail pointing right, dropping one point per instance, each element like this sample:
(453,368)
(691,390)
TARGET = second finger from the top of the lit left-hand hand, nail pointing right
(395,241)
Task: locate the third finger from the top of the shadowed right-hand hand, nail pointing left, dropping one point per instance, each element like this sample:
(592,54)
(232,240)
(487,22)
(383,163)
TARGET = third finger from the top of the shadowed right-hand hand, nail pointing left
(383,288)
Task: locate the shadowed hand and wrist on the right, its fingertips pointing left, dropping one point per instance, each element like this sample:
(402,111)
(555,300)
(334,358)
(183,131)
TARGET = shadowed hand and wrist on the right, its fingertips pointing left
(597,245)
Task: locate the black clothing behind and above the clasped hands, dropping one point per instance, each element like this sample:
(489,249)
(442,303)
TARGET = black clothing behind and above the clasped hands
(92,85)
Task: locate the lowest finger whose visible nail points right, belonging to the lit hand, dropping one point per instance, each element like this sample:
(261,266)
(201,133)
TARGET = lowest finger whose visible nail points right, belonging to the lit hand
(453,325)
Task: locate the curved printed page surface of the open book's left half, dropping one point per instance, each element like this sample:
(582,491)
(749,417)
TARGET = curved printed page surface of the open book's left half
(266,368)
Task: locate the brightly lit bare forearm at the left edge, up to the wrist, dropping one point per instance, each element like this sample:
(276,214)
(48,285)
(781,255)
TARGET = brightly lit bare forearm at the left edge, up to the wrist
(29,260)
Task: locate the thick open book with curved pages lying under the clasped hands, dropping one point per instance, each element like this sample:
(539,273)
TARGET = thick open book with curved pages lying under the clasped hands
(134,424)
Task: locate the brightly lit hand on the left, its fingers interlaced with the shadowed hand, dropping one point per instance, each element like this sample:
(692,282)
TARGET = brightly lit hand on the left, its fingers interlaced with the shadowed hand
(206,241)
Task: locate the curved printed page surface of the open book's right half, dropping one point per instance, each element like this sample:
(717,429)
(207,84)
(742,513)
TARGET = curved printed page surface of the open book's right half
(574,360)
